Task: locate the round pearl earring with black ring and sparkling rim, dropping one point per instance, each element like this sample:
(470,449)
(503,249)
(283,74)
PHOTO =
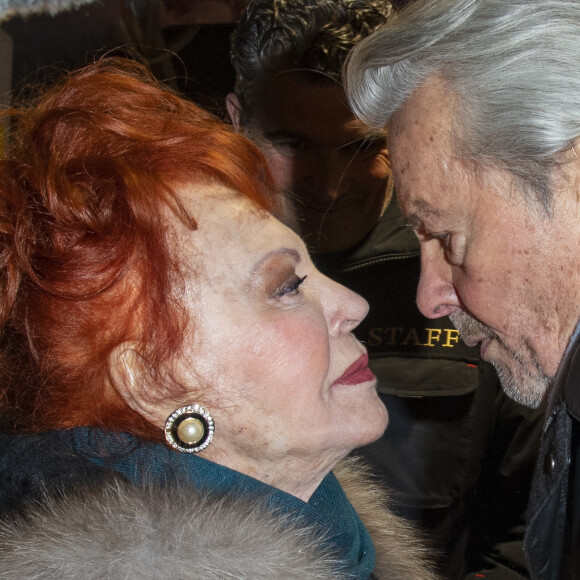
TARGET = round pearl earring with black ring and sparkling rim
(189,429)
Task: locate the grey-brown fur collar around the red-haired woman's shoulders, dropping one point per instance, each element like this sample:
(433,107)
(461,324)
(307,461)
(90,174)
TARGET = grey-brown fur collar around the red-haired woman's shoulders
(123,531)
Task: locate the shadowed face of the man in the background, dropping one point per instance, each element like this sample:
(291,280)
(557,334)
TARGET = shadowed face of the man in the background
(332,169)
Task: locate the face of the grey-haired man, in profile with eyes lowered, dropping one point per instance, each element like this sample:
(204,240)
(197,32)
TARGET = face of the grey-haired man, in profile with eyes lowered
(504,271)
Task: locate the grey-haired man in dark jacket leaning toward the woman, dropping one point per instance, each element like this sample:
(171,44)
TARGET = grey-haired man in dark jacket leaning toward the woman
(483,103)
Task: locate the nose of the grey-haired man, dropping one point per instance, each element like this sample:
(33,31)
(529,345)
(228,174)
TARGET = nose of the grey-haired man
(436,295)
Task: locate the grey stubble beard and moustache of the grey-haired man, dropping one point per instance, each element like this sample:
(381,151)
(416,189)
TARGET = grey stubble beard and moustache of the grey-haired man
(525,380)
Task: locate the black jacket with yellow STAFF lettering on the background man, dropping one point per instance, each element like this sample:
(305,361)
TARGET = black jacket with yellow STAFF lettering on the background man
(457,453)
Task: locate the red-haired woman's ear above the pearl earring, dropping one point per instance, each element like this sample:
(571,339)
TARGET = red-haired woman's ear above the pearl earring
(132,378)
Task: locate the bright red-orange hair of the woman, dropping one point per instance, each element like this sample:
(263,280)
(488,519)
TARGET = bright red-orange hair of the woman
(84,260)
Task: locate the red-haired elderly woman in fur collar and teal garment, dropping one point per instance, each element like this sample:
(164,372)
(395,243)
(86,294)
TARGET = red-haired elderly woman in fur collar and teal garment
(178,381)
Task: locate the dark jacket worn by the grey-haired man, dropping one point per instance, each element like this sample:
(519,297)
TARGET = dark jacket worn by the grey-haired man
(552,542)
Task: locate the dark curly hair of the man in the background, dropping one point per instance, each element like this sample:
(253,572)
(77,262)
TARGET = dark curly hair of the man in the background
(313,36)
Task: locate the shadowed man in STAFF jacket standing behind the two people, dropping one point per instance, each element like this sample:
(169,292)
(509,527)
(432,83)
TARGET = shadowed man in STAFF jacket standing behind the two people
(457,453)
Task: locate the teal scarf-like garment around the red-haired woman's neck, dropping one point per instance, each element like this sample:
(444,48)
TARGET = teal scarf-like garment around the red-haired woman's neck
(144,462)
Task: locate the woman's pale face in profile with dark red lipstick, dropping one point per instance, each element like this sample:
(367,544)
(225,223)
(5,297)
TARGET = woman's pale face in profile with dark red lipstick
(271,346)
